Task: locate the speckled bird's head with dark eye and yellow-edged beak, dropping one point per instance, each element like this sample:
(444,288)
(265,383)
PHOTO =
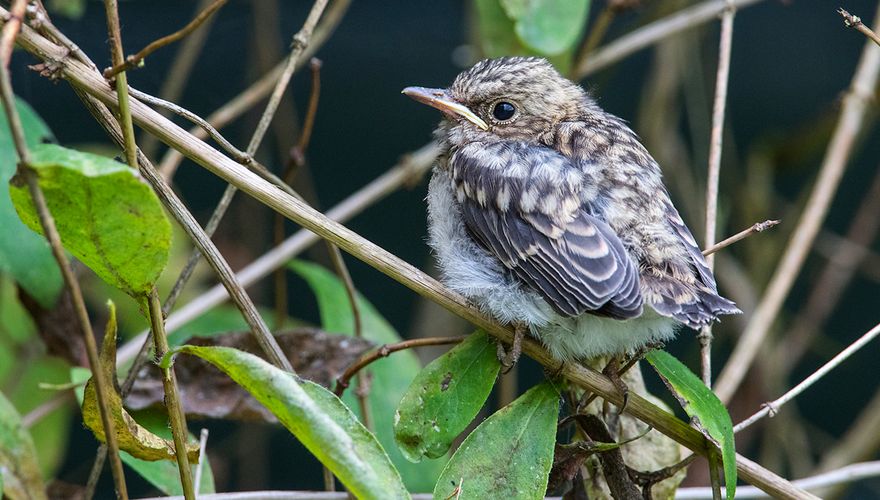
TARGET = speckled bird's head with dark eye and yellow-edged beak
(513,98)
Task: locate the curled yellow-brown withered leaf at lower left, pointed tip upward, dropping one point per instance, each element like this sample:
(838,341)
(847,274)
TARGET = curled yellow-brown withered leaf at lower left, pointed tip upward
(130,435)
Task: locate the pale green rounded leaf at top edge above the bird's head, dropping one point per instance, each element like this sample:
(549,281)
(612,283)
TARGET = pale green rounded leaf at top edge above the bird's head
(549,27)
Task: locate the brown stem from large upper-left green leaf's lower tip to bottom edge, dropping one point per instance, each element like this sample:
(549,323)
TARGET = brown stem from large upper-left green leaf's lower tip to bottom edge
(172,401)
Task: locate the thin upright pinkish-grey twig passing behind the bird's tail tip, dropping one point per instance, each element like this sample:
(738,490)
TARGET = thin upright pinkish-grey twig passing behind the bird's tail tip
(714,170)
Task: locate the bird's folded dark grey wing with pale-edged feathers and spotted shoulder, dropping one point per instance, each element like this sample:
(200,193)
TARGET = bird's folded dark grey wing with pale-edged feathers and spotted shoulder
(525,205)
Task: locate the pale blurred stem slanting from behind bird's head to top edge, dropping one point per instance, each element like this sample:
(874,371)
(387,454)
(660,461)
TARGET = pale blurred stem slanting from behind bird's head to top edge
(652,33)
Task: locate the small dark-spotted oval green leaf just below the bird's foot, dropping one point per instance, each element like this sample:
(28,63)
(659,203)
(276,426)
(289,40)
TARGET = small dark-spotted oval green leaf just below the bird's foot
(445,397)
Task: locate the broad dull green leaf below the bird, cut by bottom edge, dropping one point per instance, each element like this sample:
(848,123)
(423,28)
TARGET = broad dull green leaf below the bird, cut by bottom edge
(509,455)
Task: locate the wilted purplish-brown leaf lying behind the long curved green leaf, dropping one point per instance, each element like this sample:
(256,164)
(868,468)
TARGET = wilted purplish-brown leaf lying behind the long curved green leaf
(206,392)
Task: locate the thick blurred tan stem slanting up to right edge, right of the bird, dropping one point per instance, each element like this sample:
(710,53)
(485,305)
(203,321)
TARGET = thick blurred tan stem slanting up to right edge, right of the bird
(855,106)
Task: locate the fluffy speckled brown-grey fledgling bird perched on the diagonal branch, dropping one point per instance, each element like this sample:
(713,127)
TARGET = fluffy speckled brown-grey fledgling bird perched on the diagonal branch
(549,214)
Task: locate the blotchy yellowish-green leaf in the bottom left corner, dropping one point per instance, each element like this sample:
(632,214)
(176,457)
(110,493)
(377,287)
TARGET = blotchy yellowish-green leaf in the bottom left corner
(18,457)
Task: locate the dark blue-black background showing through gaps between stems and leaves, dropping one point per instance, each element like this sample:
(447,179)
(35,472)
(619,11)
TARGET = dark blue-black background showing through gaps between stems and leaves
(791,62)
